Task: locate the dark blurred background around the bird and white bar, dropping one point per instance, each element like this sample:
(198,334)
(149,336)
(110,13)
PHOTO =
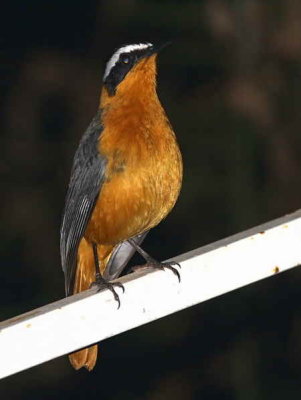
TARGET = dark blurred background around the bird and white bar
(231,85)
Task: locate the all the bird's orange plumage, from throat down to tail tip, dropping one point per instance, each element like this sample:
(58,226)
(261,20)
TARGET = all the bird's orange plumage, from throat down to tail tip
(142,180)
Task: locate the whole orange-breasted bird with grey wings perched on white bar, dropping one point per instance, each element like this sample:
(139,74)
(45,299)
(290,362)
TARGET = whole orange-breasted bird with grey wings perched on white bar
(125,178)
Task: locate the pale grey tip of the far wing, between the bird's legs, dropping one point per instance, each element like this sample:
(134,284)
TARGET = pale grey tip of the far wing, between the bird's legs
(121,255)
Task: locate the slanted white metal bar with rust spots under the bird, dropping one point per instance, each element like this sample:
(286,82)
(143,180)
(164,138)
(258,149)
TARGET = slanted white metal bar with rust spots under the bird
(78,321)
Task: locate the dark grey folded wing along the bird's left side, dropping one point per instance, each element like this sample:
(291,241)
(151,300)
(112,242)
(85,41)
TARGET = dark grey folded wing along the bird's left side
(86,180)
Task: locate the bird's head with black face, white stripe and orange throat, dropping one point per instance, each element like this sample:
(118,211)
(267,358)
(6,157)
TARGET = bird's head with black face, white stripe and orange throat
(131,66)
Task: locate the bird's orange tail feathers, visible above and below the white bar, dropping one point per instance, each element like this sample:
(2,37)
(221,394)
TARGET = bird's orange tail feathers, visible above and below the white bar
(85,275)
